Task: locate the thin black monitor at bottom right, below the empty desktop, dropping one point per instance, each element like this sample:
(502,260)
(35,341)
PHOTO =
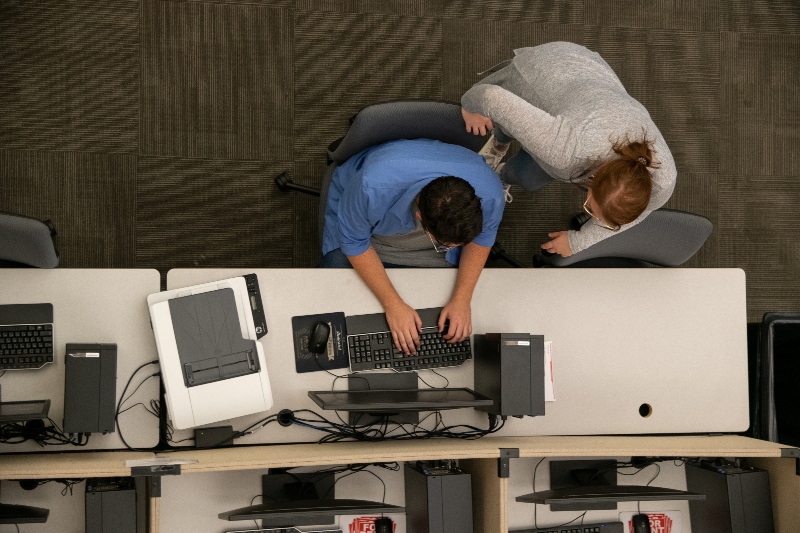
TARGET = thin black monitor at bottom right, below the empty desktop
(607,494)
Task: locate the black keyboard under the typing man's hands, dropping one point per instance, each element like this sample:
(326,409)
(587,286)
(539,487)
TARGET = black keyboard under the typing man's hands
(370,346)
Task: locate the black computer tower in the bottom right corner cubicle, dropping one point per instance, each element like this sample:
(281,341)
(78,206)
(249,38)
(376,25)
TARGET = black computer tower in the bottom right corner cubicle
(737,499)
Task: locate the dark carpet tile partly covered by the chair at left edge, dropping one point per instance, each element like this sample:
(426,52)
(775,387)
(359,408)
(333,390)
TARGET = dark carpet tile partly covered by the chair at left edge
(89,197)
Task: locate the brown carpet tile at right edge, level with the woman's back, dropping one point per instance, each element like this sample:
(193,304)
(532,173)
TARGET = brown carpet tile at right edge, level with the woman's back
(760,104)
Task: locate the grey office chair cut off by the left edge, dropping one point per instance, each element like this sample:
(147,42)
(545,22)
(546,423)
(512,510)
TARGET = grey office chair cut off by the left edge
(26,242)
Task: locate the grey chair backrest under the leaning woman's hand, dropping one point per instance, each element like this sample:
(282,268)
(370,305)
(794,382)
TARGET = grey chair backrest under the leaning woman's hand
(667,237)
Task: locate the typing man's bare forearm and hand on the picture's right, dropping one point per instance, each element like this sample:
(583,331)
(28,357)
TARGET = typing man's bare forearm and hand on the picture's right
(458,310)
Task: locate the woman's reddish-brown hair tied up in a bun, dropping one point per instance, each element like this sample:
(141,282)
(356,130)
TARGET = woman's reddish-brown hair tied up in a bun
(622,186)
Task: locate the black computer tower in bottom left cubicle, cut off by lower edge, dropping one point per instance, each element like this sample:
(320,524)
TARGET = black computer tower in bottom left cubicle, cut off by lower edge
(116,505)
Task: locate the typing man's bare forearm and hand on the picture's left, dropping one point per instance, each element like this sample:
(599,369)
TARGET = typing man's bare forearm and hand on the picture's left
(404,322)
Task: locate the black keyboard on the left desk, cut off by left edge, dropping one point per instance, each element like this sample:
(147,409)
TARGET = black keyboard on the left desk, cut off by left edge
(26,336)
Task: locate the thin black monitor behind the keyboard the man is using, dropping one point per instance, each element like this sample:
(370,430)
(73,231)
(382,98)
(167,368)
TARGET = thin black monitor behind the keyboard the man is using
(392,401)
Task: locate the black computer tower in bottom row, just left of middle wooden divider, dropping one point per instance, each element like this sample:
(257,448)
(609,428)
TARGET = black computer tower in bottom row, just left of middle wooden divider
(438,499)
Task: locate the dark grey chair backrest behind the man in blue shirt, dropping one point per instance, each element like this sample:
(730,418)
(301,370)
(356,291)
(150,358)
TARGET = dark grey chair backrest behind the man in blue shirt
(404,119)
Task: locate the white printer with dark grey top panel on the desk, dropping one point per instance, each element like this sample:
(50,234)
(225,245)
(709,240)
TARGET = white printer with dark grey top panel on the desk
(212,364)
